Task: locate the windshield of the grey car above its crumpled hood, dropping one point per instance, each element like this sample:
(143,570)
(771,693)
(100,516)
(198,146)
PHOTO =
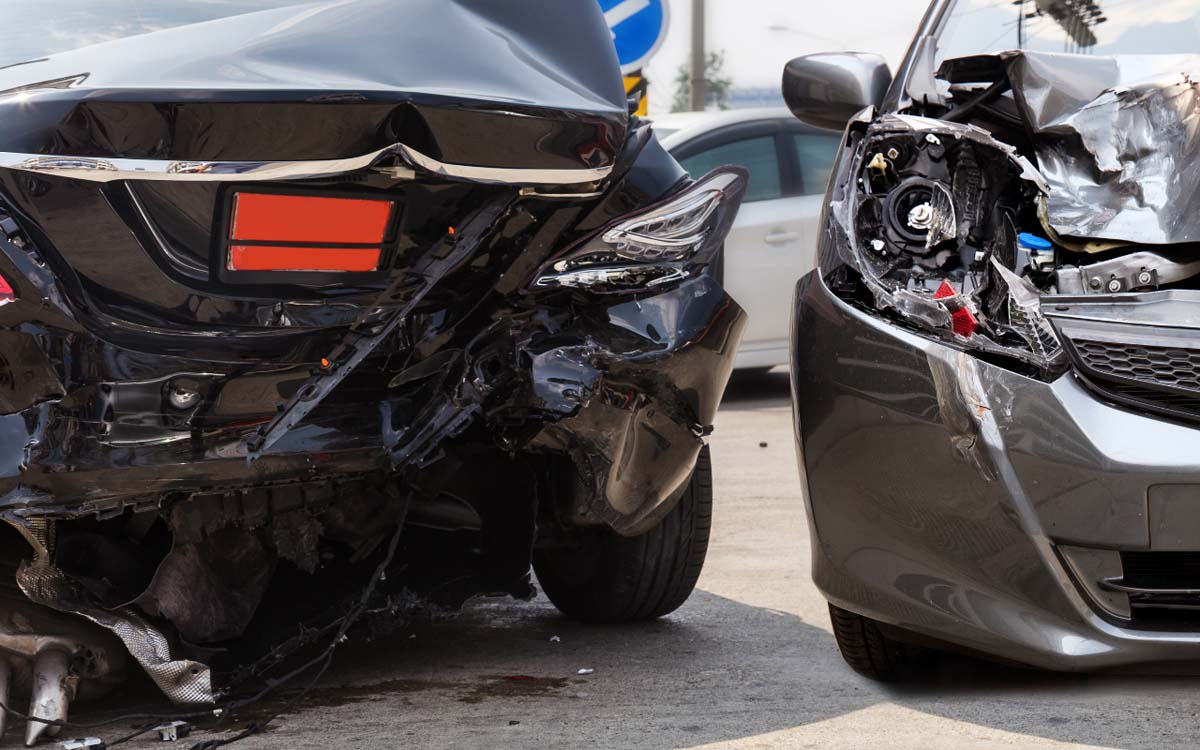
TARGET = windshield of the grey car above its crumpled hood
(1084,27)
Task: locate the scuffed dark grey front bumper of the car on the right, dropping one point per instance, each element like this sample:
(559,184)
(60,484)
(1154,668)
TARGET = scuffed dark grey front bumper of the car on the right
(959,501)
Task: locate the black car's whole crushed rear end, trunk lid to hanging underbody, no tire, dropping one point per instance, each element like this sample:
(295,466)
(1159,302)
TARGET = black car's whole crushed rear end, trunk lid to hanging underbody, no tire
(237,364)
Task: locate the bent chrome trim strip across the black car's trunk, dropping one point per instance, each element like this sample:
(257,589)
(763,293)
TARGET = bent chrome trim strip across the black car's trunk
(97,170)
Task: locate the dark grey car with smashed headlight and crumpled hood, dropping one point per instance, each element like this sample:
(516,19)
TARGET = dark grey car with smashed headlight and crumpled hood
(997,367)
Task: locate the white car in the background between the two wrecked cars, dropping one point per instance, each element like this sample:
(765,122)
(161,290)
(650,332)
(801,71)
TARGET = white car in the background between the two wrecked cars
(773,243)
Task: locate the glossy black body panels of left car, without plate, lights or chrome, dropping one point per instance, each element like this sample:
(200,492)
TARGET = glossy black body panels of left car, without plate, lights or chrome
(118,303)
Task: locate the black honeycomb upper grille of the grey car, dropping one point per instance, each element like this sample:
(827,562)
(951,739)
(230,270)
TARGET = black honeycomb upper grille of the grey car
(1161,380)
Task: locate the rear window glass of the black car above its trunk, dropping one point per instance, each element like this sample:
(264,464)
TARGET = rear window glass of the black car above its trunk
(57,26)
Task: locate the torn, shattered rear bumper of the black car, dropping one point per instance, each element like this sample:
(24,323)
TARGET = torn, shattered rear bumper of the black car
(628,393)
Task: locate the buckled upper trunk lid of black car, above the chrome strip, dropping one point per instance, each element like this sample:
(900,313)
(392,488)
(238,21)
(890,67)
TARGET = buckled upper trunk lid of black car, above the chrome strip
(485,82)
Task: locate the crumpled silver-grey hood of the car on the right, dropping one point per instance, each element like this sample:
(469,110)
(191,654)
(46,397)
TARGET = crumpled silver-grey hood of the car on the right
(1117,141)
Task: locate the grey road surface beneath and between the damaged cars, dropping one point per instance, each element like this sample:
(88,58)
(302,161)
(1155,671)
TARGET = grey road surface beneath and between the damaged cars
(748,663)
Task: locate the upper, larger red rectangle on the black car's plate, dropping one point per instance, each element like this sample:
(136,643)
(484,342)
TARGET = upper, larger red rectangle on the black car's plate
(260,218)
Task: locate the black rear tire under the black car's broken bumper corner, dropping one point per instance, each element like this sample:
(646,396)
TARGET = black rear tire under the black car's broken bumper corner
(613,579)
